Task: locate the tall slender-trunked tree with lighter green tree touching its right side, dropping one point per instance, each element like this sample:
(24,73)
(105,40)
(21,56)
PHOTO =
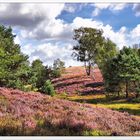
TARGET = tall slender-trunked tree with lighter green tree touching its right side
(92,48)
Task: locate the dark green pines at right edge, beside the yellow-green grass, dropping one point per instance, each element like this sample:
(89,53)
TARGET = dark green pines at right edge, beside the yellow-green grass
(122,73)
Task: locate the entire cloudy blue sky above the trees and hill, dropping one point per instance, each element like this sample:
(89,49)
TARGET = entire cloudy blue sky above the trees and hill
(45,30)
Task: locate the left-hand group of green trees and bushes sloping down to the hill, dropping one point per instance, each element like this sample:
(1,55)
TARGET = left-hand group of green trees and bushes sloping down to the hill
(17,72)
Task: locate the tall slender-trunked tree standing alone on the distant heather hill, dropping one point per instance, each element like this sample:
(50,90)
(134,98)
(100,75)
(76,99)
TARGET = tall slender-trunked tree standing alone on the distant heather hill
(88,42)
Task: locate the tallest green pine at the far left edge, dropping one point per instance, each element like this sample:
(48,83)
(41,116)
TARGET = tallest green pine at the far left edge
(11,60)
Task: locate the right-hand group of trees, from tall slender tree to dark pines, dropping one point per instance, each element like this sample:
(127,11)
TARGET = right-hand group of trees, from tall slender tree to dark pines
(120,68)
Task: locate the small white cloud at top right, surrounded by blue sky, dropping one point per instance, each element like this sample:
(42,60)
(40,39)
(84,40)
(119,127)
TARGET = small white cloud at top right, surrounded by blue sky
(112,7)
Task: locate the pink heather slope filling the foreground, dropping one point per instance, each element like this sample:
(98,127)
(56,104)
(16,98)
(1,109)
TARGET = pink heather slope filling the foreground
(30,113)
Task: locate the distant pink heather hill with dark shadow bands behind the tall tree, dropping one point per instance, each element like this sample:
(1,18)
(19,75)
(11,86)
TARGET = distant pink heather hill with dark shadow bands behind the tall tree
(75,80)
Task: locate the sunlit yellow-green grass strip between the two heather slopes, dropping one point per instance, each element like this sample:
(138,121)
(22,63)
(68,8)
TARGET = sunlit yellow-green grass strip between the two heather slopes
(119,104)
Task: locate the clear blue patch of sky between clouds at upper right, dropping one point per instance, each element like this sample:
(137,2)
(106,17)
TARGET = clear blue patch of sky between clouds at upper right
(125,17)
